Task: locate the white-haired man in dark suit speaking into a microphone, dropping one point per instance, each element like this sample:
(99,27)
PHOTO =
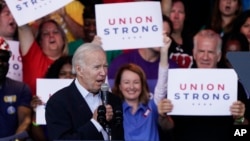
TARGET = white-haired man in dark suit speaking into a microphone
(72,112)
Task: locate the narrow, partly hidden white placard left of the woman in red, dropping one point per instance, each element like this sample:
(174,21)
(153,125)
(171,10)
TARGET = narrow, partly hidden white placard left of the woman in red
(15,63)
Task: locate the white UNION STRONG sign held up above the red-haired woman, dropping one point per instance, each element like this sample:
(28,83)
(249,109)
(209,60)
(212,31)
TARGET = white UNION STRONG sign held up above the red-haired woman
(129,25)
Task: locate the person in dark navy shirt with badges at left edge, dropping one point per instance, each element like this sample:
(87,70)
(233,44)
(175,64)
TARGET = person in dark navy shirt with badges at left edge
(15,97)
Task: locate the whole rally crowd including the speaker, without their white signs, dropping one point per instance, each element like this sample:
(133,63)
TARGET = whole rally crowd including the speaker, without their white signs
(65,45)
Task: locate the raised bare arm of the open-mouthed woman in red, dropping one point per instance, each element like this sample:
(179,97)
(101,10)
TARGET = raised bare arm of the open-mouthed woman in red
(26,38)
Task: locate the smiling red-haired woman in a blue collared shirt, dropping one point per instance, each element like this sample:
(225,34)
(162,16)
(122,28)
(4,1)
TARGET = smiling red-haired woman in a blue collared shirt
(141,118)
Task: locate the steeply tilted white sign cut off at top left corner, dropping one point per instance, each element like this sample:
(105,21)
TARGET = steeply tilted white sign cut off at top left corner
(25,11)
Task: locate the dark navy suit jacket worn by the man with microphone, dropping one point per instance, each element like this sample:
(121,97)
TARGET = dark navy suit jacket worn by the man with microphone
(68,116)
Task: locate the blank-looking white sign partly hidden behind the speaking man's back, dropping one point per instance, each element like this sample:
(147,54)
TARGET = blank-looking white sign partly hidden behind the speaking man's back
(46,88)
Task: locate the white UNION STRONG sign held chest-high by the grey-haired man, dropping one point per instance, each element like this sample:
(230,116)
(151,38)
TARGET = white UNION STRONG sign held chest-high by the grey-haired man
(202,91)
